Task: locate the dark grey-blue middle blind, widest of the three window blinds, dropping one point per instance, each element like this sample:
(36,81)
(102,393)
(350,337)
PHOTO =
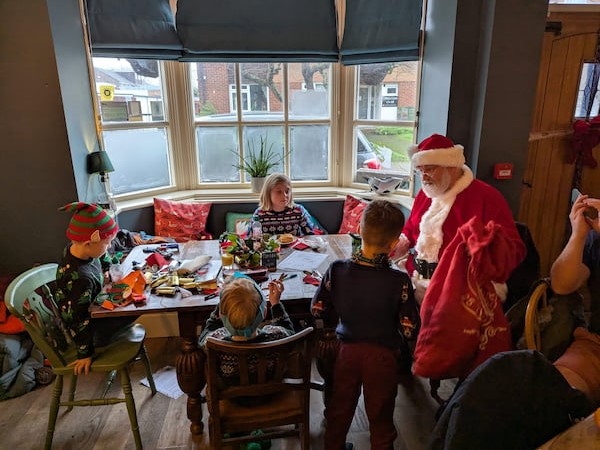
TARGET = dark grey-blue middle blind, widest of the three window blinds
(257,30)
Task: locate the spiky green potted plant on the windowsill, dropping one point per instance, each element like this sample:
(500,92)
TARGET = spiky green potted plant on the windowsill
(258,162)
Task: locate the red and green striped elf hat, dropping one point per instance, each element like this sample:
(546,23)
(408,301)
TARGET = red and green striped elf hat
(89,222)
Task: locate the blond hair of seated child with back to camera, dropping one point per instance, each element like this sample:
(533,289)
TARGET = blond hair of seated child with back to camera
(239,302)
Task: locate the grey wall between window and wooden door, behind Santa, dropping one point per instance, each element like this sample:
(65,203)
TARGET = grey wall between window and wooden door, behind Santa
(480,71)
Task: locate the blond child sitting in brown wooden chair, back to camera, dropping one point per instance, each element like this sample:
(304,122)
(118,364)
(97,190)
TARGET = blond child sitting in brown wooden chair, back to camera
(241,309)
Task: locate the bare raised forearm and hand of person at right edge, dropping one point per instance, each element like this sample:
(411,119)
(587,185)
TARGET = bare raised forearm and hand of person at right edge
(569,273)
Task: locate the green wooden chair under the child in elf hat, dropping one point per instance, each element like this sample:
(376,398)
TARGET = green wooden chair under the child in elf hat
(29,299)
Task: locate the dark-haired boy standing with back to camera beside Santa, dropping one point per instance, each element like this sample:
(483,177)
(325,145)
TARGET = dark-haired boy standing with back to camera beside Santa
(375,311)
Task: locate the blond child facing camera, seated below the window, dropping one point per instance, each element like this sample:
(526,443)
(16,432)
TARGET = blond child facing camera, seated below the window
(277,212)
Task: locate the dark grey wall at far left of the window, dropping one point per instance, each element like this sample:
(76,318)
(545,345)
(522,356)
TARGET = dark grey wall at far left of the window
(37,172)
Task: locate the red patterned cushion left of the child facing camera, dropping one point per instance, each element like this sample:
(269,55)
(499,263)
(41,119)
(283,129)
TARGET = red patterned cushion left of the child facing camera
(182,221)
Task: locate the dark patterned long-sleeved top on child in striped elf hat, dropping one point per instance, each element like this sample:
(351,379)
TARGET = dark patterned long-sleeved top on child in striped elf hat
(78,282)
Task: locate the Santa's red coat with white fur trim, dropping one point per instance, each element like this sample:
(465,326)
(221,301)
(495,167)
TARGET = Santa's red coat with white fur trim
(433,223)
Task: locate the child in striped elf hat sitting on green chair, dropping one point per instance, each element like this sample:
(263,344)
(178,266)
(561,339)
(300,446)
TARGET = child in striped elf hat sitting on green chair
(80,277)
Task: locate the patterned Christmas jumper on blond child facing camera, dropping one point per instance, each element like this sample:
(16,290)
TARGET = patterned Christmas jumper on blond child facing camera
(295,220)
